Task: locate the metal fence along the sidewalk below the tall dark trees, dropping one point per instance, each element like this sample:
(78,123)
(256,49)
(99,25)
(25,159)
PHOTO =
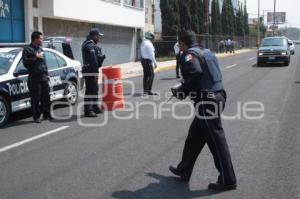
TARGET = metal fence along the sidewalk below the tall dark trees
(165,46)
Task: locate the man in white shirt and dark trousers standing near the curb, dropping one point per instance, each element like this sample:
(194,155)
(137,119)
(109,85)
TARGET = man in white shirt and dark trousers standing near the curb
(148,62)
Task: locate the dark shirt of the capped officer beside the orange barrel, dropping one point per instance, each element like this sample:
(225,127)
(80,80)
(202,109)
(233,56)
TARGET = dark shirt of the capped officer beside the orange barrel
(91,54)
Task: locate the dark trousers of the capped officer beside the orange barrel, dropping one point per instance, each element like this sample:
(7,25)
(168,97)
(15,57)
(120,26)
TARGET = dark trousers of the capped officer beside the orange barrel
(91,98)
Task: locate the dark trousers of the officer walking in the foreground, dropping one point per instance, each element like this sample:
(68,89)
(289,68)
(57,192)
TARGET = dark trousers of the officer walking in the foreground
(205,130)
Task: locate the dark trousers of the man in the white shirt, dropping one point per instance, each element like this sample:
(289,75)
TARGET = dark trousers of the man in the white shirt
(148,74)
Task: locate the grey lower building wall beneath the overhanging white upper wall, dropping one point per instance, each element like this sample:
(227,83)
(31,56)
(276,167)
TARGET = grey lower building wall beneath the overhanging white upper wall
(118,43)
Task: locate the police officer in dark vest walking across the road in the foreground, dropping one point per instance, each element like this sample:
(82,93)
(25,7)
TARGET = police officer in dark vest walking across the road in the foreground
(203,83)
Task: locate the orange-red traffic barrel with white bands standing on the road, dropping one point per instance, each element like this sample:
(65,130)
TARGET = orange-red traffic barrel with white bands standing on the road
(112,89)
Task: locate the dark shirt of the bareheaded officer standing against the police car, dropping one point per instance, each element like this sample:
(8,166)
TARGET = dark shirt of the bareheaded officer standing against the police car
(35,66)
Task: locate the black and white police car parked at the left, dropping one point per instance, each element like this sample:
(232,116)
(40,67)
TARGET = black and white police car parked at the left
(65,77)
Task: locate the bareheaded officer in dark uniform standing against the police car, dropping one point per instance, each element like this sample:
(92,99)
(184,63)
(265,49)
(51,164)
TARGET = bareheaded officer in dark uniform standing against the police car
(34,60)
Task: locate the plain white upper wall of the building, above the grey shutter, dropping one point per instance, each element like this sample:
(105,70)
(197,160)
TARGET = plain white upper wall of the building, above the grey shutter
(124,14)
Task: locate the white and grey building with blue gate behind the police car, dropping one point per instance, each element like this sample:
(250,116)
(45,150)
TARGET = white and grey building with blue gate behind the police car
(121,21)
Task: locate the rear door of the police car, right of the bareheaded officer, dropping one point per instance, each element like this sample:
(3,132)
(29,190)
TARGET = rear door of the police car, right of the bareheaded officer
(57,72)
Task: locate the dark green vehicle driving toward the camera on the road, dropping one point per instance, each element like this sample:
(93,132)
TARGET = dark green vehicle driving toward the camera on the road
(274,50)
